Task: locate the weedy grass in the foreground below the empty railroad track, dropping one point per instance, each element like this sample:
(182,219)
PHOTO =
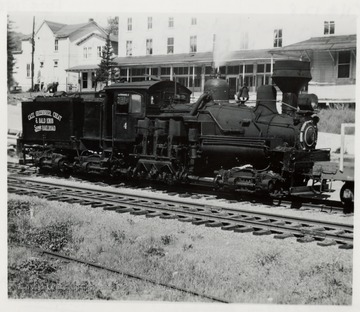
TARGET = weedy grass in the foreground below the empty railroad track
(238,267)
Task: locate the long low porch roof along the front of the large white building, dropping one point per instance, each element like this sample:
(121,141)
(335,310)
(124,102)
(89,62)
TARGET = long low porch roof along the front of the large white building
(199,57)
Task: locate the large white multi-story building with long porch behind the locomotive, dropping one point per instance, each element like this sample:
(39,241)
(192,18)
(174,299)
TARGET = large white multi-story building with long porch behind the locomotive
(187,47)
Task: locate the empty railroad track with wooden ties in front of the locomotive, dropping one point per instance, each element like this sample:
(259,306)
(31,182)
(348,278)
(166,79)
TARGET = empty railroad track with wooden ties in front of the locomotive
(237,220)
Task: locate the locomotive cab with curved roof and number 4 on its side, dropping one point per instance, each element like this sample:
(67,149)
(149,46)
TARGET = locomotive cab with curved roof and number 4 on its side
(127,103)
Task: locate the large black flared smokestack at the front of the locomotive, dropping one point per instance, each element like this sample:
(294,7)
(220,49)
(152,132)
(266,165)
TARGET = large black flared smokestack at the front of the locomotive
(290,76)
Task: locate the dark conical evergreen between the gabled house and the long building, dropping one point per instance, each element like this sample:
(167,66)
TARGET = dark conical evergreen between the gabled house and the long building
(106,70)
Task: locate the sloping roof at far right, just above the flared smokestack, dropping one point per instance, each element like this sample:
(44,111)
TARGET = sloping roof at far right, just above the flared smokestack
(326,43)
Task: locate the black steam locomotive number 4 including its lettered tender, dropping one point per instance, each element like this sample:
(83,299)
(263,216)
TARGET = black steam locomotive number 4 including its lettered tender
(150,130)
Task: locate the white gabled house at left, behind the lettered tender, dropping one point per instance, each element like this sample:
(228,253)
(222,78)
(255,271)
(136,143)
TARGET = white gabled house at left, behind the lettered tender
(59,48)
